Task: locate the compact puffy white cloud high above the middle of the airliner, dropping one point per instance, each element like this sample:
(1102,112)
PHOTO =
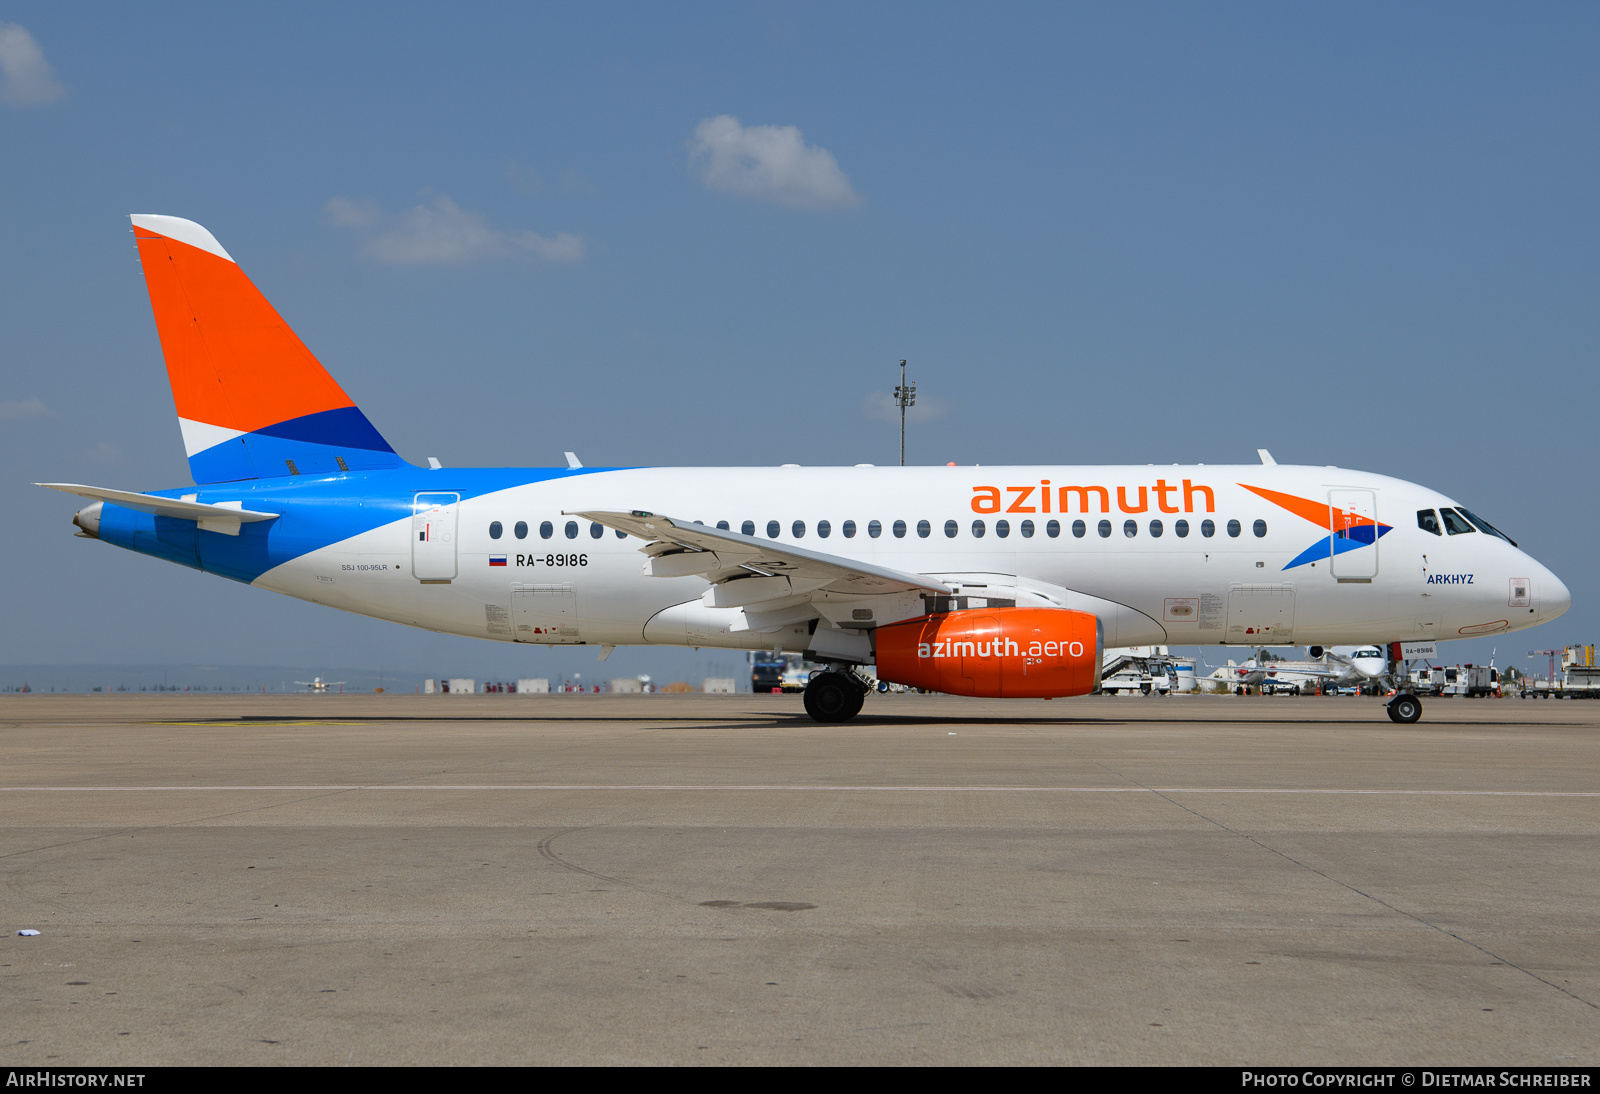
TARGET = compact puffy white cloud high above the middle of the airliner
(770,164)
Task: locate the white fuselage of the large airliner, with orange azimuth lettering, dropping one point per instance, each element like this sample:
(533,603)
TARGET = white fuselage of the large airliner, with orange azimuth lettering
(1185,589)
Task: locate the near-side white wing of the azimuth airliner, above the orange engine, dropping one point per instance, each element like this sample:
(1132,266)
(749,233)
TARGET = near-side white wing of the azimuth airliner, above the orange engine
(679,548)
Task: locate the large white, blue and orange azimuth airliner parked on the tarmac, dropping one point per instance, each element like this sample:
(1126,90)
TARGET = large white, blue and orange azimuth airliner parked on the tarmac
(980,581)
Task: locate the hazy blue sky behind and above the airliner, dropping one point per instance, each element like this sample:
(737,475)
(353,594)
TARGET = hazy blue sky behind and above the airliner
(1356,234)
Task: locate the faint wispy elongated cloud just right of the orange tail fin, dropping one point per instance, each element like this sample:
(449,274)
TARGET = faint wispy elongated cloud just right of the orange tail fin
(439,233)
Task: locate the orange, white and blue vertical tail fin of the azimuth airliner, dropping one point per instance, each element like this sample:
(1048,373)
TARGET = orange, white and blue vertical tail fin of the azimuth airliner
(252,399)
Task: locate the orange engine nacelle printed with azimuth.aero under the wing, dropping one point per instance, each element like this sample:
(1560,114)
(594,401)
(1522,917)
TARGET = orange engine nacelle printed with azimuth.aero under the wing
(999,653)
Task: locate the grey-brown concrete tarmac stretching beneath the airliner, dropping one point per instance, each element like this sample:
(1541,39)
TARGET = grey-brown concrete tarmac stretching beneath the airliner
(719,880)
